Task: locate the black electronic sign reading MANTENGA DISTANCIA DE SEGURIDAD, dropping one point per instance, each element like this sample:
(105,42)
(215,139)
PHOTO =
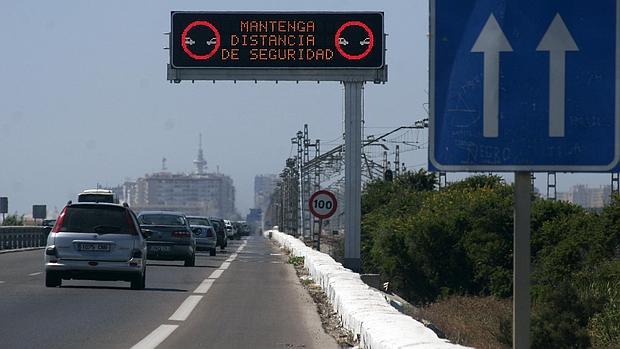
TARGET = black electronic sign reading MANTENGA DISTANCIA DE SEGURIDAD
(285,40)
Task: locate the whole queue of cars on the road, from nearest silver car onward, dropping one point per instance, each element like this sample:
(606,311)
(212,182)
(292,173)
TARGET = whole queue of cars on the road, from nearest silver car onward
(98,238)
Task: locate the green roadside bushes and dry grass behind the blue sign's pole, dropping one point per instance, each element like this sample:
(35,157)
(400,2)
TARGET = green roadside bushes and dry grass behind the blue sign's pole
(449,251)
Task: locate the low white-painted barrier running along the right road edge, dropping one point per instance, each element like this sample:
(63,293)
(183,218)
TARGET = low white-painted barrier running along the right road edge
(363,310)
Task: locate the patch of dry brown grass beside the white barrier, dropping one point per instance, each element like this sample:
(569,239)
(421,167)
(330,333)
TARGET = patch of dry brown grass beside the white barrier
(470,321)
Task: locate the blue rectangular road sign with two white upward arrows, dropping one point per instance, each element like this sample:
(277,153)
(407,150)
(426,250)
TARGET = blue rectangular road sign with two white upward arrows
(524,85)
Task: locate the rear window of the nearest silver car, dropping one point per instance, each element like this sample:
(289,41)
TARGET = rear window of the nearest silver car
(96,219)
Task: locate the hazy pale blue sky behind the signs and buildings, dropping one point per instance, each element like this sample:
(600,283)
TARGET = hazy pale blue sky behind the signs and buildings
(85,100)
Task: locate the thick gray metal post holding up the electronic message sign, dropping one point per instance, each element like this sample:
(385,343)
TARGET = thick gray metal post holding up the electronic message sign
(353,104)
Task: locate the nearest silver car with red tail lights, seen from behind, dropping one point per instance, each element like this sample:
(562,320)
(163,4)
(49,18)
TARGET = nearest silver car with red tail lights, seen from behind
(96,241)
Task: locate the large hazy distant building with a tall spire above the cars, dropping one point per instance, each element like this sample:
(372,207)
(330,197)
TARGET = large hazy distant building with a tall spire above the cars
(199,193)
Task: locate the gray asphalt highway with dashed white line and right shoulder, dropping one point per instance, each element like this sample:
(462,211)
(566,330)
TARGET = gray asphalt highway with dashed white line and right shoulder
(246,297)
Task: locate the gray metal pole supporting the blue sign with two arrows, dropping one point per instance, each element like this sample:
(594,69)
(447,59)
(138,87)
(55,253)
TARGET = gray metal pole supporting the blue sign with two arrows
(521,263)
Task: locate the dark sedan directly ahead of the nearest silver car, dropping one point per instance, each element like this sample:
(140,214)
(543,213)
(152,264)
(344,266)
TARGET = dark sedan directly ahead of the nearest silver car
(170,236)
